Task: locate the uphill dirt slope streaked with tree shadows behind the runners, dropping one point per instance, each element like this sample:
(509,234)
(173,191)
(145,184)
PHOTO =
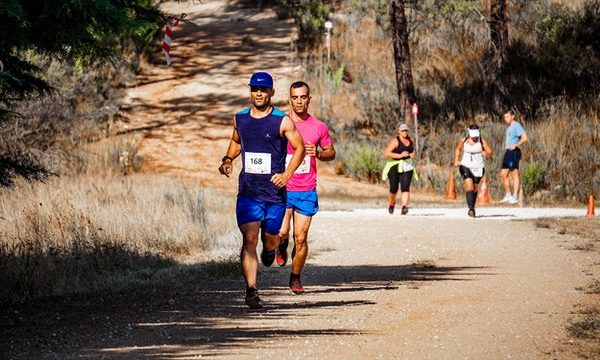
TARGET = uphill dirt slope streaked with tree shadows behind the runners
(184,111)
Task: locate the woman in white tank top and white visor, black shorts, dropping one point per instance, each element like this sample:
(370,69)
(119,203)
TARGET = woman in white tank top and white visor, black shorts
(471,166)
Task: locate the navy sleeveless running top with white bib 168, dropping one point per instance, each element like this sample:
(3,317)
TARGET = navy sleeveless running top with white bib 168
(263,154)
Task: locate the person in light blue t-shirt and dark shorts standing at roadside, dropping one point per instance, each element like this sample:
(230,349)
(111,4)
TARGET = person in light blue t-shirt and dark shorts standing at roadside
(515,138)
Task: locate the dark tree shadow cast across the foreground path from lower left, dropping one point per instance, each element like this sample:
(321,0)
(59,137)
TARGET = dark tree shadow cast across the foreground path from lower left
(198,316)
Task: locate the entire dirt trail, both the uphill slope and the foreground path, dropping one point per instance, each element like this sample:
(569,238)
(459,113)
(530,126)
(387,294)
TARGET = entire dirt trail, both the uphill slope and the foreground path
(379,286)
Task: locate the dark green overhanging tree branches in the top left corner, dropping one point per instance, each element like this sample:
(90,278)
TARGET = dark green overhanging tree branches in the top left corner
(81,31)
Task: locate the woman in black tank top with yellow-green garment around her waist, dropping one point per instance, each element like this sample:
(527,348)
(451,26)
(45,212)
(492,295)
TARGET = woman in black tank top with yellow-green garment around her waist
(399,168)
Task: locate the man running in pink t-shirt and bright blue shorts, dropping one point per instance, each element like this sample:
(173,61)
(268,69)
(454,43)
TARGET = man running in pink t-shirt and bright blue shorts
(302,201)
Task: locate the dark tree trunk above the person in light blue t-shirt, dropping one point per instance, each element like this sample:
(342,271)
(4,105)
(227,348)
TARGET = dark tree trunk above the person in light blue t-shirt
(499,37)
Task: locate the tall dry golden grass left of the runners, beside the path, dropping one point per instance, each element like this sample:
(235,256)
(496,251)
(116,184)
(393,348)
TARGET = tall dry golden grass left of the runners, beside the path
(89,232)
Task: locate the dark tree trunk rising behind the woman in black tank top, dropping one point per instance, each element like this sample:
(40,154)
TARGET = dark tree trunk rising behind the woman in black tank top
(404,79)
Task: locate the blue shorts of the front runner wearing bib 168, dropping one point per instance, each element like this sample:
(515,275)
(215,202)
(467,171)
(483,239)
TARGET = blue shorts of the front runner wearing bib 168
(249,210)
